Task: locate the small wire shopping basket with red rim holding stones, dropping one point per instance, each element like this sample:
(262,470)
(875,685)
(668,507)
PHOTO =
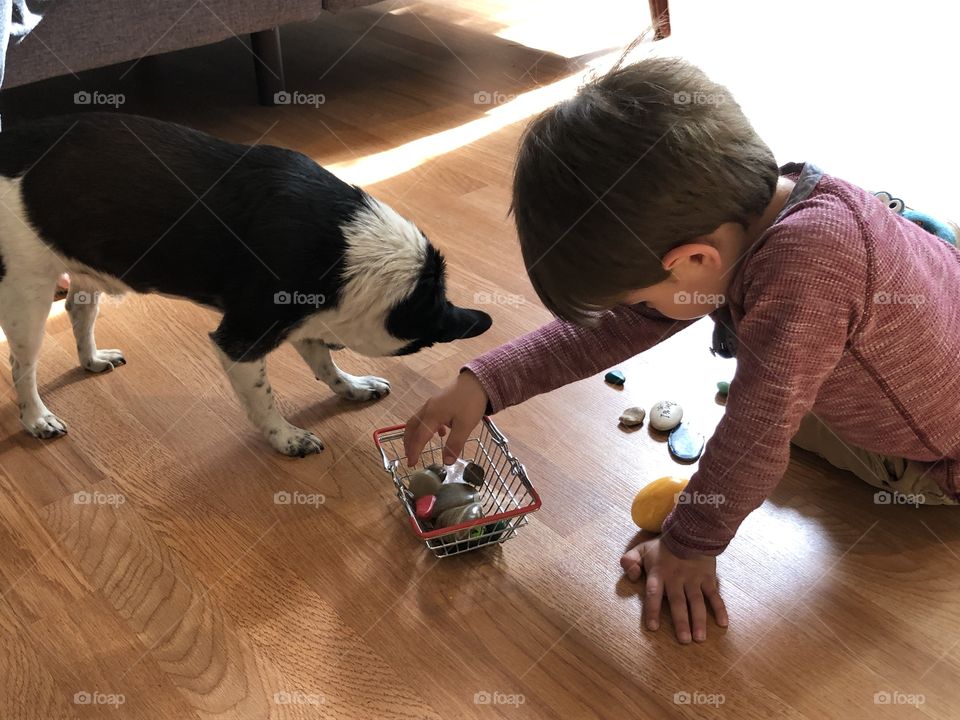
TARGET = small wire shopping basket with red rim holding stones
(506,493)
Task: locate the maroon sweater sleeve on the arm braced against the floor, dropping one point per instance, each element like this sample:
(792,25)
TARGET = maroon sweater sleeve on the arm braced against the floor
(804,299)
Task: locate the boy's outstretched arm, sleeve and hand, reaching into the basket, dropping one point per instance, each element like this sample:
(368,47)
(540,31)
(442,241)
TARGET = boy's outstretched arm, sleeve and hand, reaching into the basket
(552,356)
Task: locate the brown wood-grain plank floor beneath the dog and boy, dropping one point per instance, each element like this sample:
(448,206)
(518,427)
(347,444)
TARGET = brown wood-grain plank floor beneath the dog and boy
(185,592)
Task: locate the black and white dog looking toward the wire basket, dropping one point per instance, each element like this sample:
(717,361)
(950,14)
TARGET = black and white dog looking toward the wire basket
(281,247)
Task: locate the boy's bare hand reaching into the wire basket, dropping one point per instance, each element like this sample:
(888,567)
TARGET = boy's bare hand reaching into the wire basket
(459,408)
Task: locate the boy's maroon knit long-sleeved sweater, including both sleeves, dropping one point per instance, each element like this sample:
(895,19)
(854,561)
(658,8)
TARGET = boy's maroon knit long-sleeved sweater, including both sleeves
(843,308)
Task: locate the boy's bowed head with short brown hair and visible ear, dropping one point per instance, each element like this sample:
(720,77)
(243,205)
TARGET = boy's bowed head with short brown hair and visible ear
(618,188)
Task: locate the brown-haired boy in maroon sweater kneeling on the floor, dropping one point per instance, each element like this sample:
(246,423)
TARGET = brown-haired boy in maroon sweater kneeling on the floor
(648,201)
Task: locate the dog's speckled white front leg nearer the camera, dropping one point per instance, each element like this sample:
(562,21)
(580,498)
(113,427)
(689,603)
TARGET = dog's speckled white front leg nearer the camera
(249,381)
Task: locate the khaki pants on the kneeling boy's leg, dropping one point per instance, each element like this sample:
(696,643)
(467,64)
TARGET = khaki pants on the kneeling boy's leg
(896,475)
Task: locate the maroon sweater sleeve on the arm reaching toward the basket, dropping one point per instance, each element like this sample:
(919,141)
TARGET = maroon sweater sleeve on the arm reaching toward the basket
(561,352)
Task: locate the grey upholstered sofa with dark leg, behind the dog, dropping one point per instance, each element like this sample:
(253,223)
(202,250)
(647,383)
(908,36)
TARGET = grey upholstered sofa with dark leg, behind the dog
(77,35)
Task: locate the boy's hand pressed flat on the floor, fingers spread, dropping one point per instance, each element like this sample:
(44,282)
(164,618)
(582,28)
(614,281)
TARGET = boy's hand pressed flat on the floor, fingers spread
(682,581)
